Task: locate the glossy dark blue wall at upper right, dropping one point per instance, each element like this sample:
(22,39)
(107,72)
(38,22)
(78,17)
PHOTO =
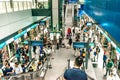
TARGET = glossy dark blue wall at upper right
(107,14)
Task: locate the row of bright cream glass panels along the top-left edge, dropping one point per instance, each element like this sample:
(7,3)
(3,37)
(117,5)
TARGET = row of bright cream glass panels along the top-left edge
(7,6)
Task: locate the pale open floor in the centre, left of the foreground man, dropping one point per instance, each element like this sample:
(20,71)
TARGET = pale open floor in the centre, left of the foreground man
(59,63)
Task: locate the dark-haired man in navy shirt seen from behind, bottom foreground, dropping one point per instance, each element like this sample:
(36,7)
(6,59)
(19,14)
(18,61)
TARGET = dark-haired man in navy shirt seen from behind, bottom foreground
(75,73)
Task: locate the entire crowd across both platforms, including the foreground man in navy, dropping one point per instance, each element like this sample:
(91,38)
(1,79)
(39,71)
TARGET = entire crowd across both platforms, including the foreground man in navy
(41,53)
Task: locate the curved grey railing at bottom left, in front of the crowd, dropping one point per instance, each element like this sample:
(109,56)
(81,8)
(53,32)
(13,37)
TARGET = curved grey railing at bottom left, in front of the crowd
(35,75)
